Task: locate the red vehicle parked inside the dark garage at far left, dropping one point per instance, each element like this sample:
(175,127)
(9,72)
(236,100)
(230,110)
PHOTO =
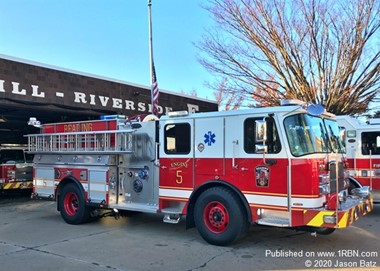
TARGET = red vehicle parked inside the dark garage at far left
(16,168)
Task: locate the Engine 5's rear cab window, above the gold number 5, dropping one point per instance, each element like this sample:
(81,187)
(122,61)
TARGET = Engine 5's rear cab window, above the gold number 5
(177,138)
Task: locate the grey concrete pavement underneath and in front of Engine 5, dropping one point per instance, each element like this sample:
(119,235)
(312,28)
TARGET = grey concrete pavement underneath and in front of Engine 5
(33,236)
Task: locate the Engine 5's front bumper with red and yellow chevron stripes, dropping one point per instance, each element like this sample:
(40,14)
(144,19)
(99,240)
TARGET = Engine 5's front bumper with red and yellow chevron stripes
(348,212)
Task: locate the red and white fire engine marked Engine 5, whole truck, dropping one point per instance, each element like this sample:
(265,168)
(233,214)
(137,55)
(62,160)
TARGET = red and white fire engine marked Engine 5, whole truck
(280,166)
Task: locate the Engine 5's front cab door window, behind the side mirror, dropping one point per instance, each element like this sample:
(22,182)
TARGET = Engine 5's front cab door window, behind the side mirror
(272,143)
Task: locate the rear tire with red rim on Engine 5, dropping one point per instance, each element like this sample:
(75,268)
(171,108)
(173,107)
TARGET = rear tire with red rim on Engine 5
(72,205)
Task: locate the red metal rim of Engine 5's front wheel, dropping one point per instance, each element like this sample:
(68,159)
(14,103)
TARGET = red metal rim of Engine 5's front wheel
(216,217)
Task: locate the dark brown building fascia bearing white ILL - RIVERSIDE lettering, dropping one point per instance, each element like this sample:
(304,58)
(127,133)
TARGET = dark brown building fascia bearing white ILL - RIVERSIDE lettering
(56,88)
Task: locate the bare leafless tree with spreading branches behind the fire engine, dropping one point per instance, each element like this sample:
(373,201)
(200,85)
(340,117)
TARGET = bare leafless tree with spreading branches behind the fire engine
(321,51)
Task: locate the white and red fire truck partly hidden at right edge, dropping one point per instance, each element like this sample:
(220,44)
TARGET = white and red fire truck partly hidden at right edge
(362,142)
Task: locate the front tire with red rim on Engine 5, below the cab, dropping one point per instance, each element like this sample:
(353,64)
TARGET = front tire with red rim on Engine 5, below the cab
(219,216)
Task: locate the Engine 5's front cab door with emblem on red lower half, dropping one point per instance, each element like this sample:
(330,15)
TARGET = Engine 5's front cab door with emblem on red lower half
(257,160)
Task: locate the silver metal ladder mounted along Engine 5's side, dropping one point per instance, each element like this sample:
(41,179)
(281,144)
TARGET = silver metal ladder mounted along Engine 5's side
(115,141)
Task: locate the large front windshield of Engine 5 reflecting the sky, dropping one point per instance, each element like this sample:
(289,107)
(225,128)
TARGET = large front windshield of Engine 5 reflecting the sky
(311,134)
